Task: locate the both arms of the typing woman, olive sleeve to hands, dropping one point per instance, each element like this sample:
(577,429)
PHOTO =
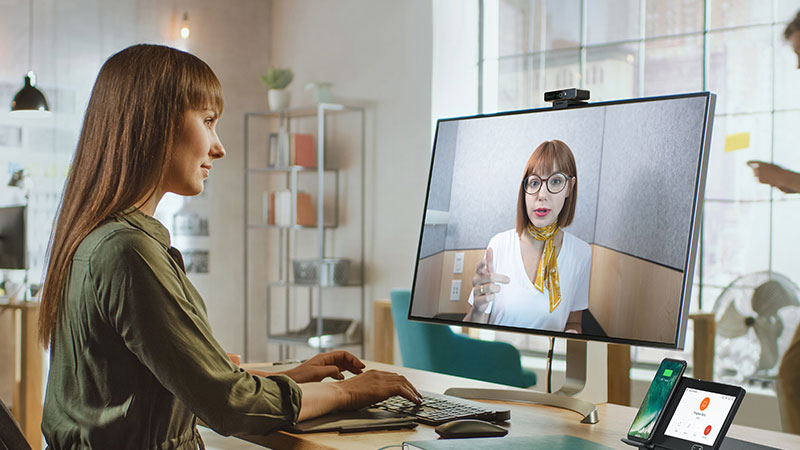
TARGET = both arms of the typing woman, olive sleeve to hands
(142,297)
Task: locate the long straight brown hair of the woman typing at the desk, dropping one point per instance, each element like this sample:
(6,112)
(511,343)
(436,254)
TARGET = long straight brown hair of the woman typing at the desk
(134,117)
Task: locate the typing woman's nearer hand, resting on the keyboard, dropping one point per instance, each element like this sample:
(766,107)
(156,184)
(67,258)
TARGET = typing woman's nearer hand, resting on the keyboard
(375,385)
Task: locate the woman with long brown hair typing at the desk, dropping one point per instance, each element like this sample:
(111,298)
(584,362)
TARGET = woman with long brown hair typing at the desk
(133,362)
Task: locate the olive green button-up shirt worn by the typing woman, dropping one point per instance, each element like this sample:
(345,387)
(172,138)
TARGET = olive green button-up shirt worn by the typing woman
(133,362)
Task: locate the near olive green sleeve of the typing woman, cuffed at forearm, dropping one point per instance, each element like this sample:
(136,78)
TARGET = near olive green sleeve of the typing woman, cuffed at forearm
(143,298)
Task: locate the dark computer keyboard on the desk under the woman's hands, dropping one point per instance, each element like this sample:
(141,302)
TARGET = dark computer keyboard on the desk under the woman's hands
(437,409)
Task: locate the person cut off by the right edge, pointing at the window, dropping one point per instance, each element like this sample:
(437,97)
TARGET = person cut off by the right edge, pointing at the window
(788,382)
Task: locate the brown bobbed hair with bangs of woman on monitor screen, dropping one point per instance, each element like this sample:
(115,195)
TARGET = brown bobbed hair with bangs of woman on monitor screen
(542,160)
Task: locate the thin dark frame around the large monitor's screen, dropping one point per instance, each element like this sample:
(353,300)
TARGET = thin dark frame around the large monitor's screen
(694,231)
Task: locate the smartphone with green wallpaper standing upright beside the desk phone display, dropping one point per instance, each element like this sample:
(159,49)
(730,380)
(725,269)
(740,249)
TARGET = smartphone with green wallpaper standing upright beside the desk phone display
(668,374)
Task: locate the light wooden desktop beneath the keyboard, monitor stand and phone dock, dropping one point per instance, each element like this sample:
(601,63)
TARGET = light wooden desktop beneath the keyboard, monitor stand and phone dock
(526,420)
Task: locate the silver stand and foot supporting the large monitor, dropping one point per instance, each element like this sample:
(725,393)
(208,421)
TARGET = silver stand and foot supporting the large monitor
(563,398)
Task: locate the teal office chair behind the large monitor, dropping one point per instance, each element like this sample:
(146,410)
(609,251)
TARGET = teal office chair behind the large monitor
(436,348)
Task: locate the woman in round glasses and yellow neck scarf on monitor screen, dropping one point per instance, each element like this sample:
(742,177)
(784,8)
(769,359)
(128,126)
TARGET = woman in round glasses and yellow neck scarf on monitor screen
(537,275)
